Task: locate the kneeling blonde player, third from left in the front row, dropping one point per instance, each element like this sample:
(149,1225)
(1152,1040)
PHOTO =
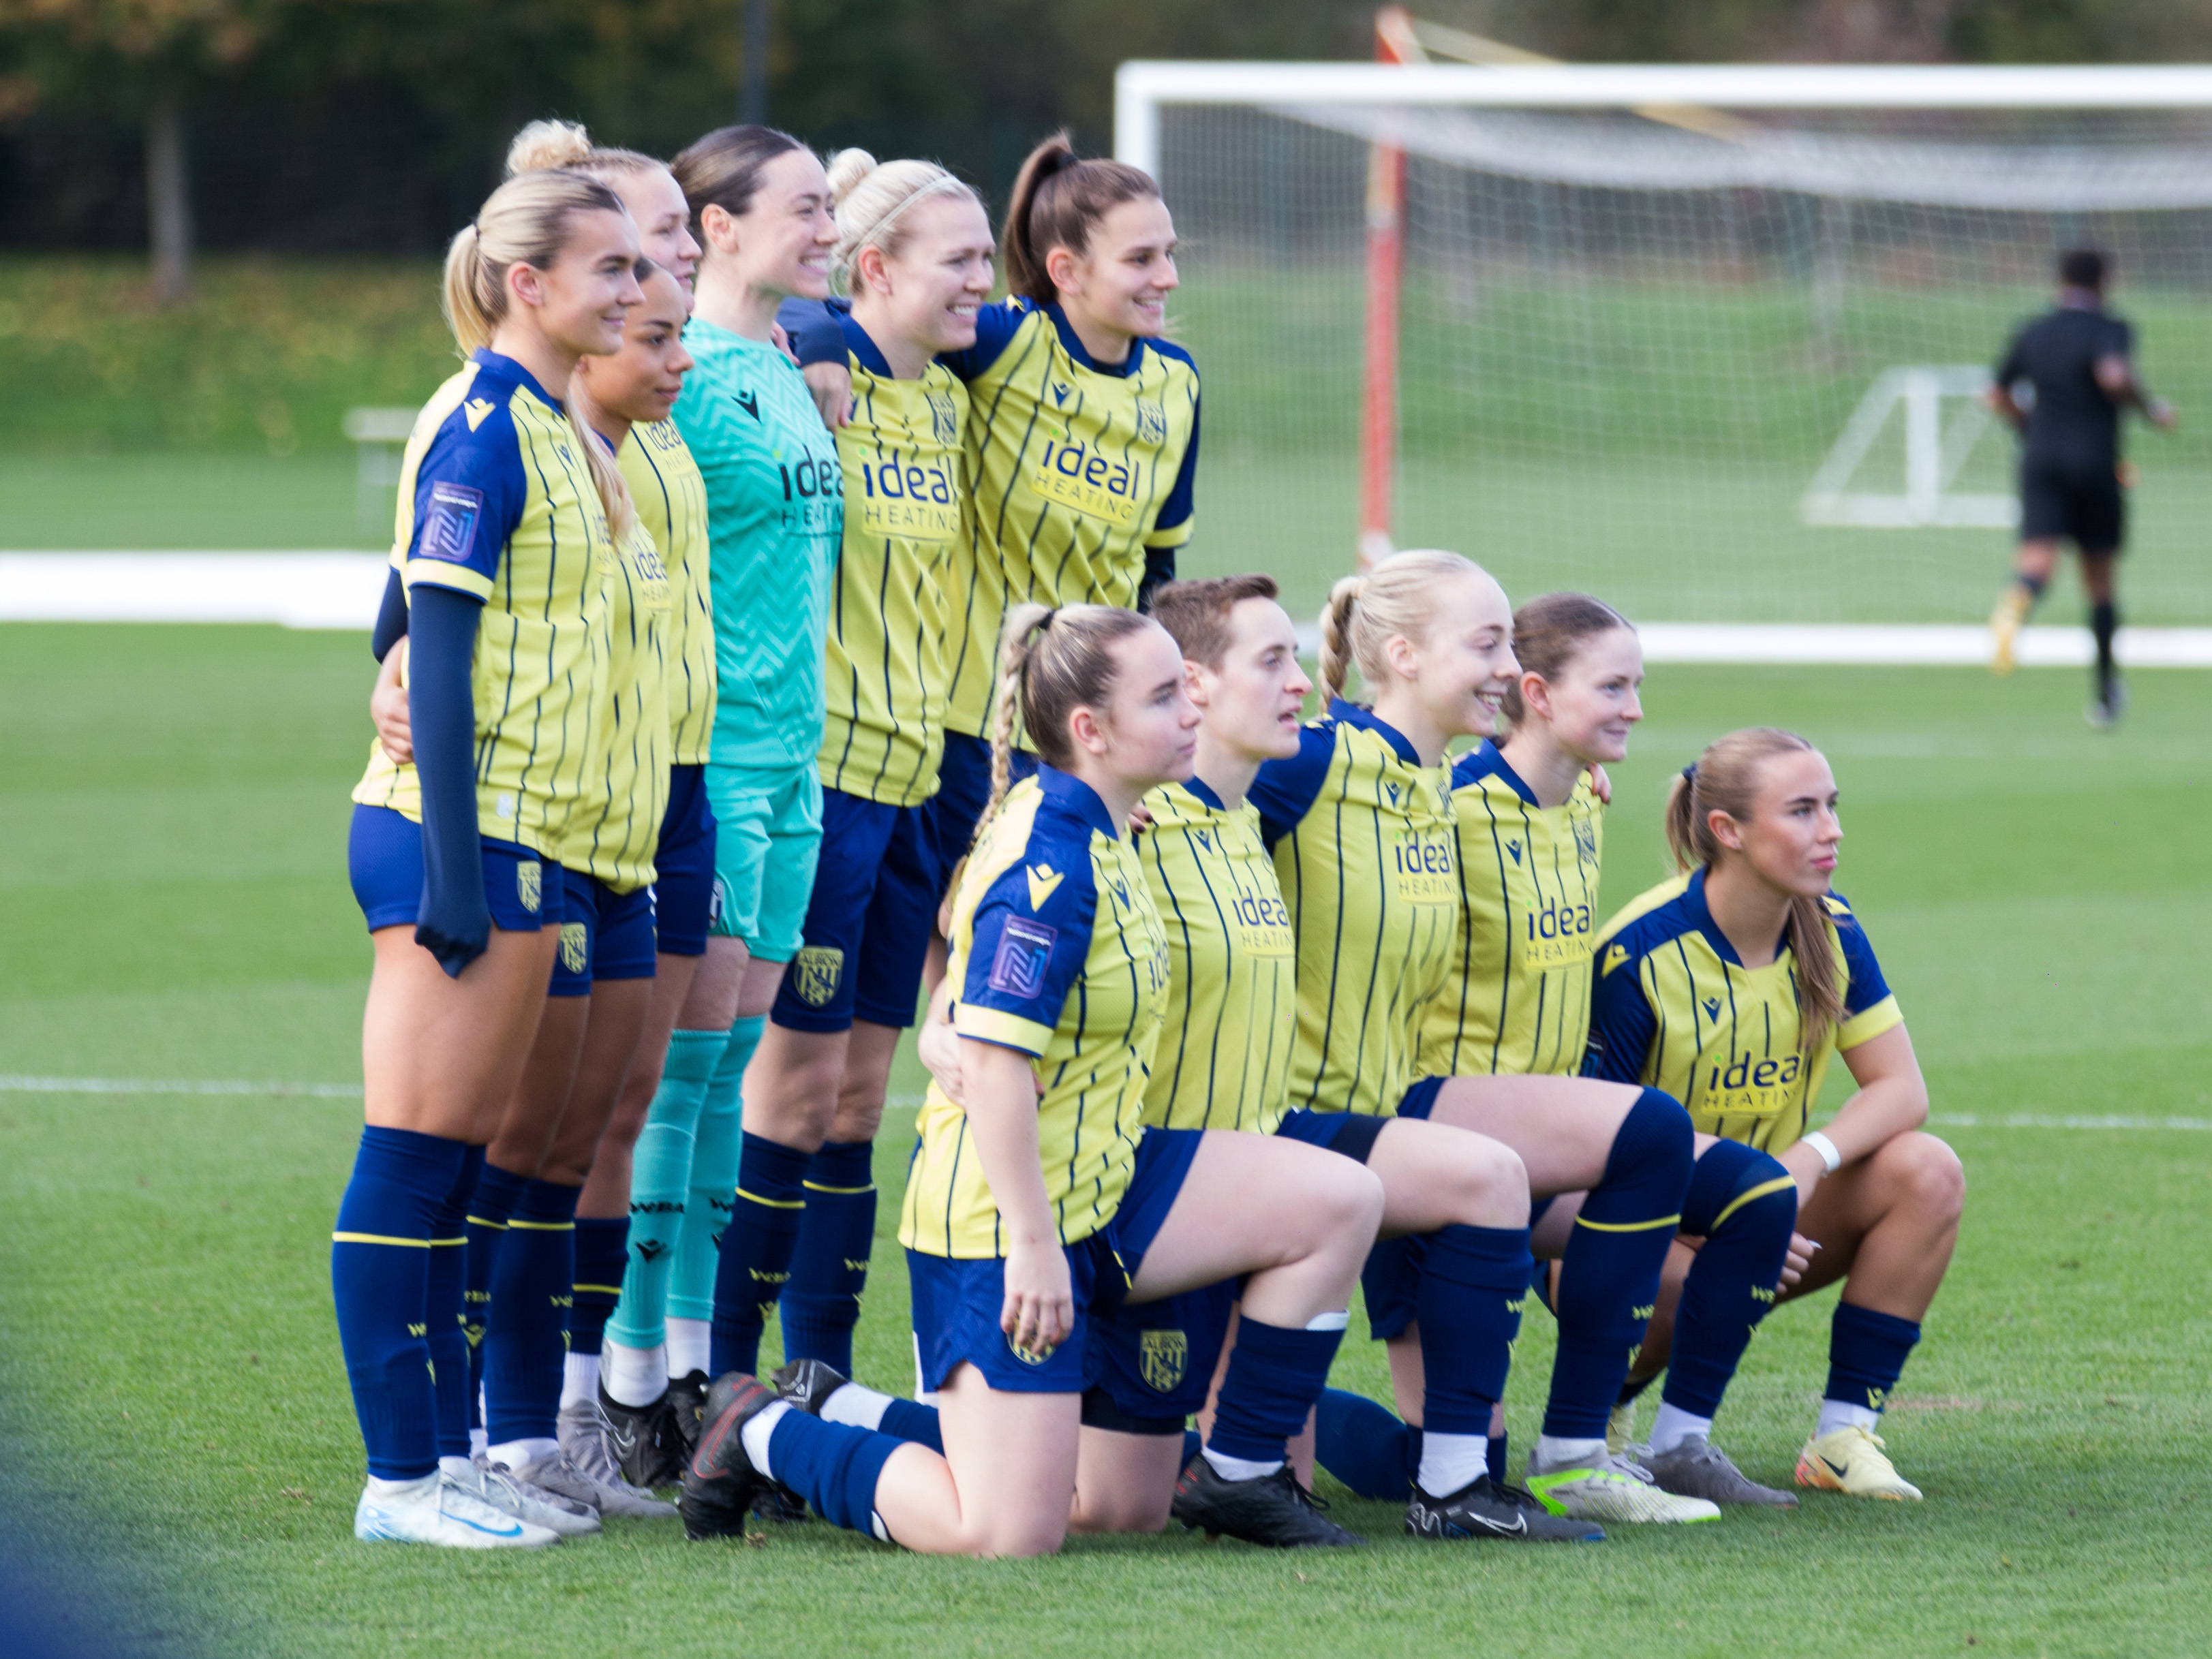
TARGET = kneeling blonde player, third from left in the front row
(1379,954)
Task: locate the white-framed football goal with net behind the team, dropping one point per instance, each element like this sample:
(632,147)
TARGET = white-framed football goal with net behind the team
(1704,342)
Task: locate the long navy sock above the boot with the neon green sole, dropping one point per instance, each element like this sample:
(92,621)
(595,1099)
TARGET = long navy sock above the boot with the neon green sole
(1609,1275)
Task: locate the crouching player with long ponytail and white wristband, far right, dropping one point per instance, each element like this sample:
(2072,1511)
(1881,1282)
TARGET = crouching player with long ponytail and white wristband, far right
(1731,988)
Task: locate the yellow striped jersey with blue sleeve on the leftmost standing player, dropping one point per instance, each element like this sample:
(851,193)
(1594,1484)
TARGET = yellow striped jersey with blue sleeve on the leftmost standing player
(497,503)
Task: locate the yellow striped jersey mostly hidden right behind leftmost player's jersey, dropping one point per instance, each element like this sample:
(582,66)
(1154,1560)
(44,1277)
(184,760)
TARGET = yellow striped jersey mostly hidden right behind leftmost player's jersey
(618,828)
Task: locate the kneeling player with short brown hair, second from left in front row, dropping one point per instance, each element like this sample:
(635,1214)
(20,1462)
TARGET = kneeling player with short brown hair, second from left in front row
(1224,1065)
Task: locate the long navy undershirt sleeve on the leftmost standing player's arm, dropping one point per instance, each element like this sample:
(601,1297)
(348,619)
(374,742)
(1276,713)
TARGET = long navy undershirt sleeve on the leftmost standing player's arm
(455,921)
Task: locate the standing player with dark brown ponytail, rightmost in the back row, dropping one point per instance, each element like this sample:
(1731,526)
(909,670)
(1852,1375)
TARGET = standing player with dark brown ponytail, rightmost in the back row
(1083,435)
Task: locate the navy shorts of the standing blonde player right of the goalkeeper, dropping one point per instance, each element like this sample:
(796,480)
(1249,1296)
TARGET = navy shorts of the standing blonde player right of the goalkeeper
(875,906)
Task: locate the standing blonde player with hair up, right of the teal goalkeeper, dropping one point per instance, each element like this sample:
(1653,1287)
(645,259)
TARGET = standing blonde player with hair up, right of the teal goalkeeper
(915,253)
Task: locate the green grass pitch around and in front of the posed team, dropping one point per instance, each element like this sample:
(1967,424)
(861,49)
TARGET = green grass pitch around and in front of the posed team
(174,899)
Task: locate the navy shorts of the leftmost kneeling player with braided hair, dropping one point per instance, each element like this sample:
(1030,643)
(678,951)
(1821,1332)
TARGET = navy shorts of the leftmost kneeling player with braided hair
(957,1302)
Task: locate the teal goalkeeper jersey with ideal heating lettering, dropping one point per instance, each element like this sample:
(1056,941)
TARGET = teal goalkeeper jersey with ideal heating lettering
(775,501)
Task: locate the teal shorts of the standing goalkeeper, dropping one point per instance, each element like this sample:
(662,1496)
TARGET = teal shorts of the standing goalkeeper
(769,831)
